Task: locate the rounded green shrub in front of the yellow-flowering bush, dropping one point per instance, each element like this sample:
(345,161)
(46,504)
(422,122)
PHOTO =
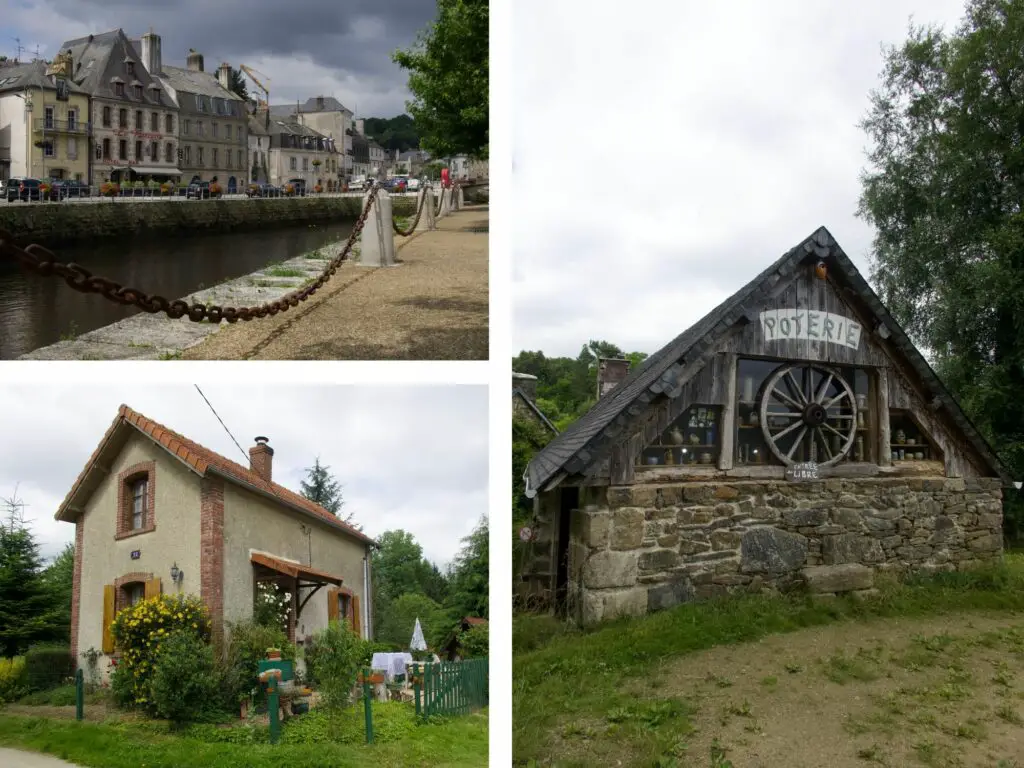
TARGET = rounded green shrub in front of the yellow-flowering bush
(185,682)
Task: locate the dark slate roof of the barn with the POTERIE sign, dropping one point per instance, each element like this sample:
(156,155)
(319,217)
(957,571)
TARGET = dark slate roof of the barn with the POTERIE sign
(587,441)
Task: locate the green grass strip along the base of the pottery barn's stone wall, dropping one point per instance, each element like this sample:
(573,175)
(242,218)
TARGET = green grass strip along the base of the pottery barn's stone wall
(571,688)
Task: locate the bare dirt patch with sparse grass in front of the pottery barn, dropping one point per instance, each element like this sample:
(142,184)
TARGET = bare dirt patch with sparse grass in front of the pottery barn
(897,693)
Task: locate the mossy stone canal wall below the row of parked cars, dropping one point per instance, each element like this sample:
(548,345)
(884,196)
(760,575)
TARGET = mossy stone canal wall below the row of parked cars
(64,224)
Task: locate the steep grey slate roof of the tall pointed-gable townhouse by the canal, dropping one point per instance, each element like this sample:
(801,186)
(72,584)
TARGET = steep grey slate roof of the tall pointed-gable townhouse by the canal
(100,59)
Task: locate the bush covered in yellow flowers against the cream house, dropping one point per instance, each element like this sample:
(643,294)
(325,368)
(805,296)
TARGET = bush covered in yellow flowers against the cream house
(139,632)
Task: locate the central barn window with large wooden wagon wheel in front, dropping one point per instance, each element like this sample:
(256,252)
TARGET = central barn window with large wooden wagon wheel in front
(791,412)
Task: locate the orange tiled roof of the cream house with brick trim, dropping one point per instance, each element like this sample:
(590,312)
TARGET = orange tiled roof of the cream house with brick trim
(201,460)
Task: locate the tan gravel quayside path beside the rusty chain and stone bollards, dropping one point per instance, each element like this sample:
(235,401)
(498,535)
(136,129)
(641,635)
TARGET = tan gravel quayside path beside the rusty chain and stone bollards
(433,307)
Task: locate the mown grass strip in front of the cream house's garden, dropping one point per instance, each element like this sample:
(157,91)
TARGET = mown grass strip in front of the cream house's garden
(309,742)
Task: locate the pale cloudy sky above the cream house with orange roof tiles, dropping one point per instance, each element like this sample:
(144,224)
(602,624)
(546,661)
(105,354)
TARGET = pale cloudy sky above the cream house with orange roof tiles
(411,458)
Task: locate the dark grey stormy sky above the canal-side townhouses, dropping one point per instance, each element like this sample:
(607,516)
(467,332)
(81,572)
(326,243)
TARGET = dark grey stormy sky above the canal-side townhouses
(306,48)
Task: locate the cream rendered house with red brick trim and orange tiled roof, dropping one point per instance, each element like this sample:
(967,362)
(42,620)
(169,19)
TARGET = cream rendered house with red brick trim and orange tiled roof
(156,513)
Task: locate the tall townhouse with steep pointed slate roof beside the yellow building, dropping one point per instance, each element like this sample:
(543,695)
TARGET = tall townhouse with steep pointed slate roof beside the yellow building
(135,121)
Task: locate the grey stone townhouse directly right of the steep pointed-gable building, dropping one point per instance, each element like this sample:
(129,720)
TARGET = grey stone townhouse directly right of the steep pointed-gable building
(214,122)
